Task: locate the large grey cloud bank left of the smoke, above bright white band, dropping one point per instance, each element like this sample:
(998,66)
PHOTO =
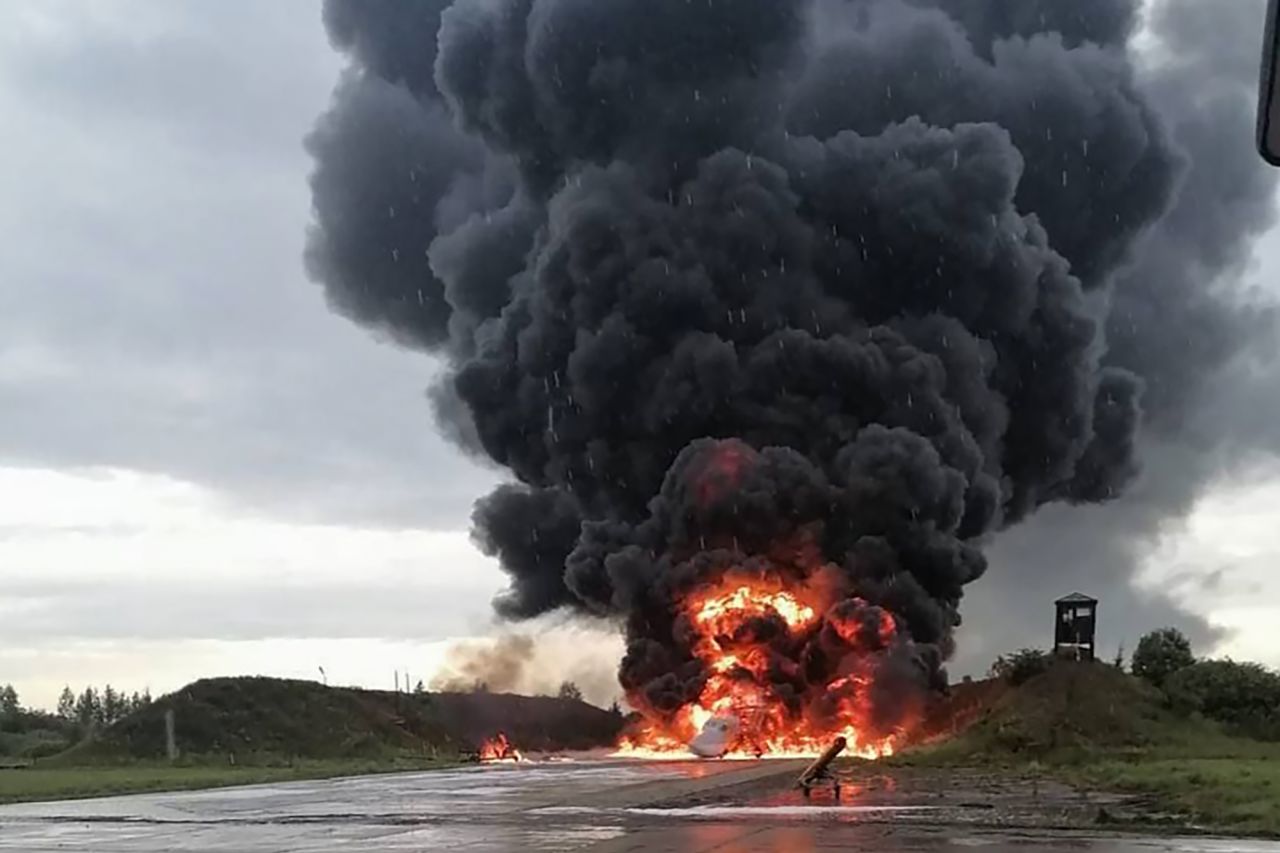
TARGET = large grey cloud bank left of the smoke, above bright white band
(154,313)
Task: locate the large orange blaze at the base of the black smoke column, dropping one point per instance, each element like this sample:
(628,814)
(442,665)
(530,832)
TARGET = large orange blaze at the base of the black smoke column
(788,656)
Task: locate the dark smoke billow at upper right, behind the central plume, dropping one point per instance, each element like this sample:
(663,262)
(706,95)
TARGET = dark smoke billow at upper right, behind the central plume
(1096,166)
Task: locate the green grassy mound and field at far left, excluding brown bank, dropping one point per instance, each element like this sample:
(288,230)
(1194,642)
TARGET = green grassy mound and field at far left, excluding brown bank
(234,732)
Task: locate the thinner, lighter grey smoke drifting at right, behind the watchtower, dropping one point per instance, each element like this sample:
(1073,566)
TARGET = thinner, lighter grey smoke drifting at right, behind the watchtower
(1190,320)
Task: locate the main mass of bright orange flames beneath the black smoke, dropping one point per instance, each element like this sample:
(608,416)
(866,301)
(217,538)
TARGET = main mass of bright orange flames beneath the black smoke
(735,633)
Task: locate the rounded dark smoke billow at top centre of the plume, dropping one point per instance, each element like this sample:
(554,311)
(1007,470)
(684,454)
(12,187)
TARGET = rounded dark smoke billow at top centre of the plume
(552,84)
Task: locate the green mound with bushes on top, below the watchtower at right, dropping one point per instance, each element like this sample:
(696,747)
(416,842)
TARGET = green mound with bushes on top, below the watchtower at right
(1195,741)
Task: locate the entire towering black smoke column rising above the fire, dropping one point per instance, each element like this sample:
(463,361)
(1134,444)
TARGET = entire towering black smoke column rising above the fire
(909,268)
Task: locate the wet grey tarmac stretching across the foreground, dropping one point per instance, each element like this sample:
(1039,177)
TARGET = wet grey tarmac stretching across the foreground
(597,808)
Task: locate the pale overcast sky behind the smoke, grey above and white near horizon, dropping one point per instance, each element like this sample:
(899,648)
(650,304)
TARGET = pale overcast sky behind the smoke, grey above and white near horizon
(204,472)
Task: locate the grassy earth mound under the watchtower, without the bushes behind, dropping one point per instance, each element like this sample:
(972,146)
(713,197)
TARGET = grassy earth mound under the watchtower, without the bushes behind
(1096,728)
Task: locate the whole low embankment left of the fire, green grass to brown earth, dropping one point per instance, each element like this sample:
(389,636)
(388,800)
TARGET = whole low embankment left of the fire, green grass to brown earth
(249,731)
